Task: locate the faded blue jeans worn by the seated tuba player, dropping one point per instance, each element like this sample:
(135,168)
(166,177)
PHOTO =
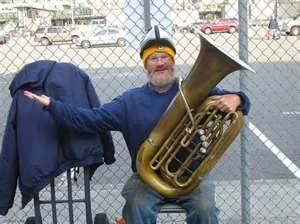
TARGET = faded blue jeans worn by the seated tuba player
(143,204)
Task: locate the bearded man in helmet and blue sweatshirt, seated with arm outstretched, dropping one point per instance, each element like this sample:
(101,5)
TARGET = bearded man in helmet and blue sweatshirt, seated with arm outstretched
(135,113)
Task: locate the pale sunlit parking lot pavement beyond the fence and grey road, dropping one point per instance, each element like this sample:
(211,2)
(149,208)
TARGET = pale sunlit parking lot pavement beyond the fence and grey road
(284,49)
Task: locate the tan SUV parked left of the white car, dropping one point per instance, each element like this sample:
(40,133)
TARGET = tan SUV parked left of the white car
(49,35)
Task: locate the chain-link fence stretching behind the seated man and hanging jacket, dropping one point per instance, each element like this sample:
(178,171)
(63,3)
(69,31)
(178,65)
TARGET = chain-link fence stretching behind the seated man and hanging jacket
(258,178)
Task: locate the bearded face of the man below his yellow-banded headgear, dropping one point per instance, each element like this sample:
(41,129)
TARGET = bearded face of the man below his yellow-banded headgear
(160,69)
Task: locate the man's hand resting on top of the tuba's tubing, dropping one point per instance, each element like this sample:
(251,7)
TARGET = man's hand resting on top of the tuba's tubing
(228,102)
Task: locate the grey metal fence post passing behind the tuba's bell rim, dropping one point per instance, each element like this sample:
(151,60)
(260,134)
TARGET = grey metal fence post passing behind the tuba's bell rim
(243,54)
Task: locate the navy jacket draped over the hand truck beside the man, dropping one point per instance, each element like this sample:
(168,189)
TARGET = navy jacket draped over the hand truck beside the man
(35,149)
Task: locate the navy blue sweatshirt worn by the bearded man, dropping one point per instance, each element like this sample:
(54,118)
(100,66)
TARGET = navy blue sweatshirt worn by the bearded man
(134,114)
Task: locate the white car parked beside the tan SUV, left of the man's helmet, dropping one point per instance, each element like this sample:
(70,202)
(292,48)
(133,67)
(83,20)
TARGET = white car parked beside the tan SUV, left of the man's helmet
(103,36)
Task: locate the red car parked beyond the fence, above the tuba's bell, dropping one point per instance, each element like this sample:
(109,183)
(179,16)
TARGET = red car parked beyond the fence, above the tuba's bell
(222,25)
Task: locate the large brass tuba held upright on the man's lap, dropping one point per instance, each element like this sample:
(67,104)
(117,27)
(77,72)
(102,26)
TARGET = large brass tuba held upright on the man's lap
(192,135)
